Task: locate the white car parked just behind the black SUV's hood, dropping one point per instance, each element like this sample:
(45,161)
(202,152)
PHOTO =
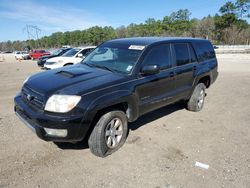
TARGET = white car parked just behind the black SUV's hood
(71,57)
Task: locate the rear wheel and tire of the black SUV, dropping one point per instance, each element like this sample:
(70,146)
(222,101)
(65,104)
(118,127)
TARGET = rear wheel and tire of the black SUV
(196,101)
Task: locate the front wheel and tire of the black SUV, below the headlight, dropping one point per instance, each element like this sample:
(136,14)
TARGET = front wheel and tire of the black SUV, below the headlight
(109,133)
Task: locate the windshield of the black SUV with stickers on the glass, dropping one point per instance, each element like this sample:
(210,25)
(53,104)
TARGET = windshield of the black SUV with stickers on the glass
(120,59)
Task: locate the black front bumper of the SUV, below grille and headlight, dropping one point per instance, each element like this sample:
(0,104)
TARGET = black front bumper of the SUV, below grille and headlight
(38,120)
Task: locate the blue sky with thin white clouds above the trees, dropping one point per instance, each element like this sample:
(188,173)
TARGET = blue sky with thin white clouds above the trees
(65,15)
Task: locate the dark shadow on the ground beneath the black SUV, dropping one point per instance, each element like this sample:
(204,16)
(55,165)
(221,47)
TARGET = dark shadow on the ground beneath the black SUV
(145,119)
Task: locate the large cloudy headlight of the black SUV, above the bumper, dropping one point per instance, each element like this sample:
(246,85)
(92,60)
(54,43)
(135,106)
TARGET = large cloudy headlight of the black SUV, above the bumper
(62,103)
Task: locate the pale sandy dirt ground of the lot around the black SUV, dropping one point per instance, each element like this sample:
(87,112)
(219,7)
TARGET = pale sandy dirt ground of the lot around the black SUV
(161,149)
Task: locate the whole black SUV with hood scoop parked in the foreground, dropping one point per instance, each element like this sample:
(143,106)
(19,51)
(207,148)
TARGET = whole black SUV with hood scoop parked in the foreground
(115,84)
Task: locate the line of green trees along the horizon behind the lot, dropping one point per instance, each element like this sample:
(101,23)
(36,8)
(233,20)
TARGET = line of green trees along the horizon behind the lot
(228,26)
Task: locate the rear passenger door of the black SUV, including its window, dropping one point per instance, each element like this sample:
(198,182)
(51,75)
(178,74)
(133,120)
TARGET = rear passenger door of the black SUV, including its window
(185,64)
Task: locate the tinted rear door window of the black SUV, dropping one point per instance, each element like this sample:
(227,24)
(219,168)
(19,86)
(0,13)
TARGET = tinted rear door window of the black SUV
(181,53)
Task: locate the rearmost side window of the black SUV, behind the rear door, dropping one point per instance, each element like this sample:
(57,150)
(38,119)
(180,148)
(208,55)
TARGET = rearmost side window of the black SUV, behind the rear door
(205,50)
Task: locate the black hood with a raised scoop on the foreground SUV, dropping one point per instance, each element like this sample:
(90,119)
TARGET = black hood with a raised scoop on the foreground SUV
(73,80)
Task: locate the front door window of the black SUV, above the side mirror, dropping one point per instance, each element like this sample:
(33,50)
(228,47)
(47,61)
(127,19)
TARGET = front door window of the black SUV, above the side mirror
(160,55)
